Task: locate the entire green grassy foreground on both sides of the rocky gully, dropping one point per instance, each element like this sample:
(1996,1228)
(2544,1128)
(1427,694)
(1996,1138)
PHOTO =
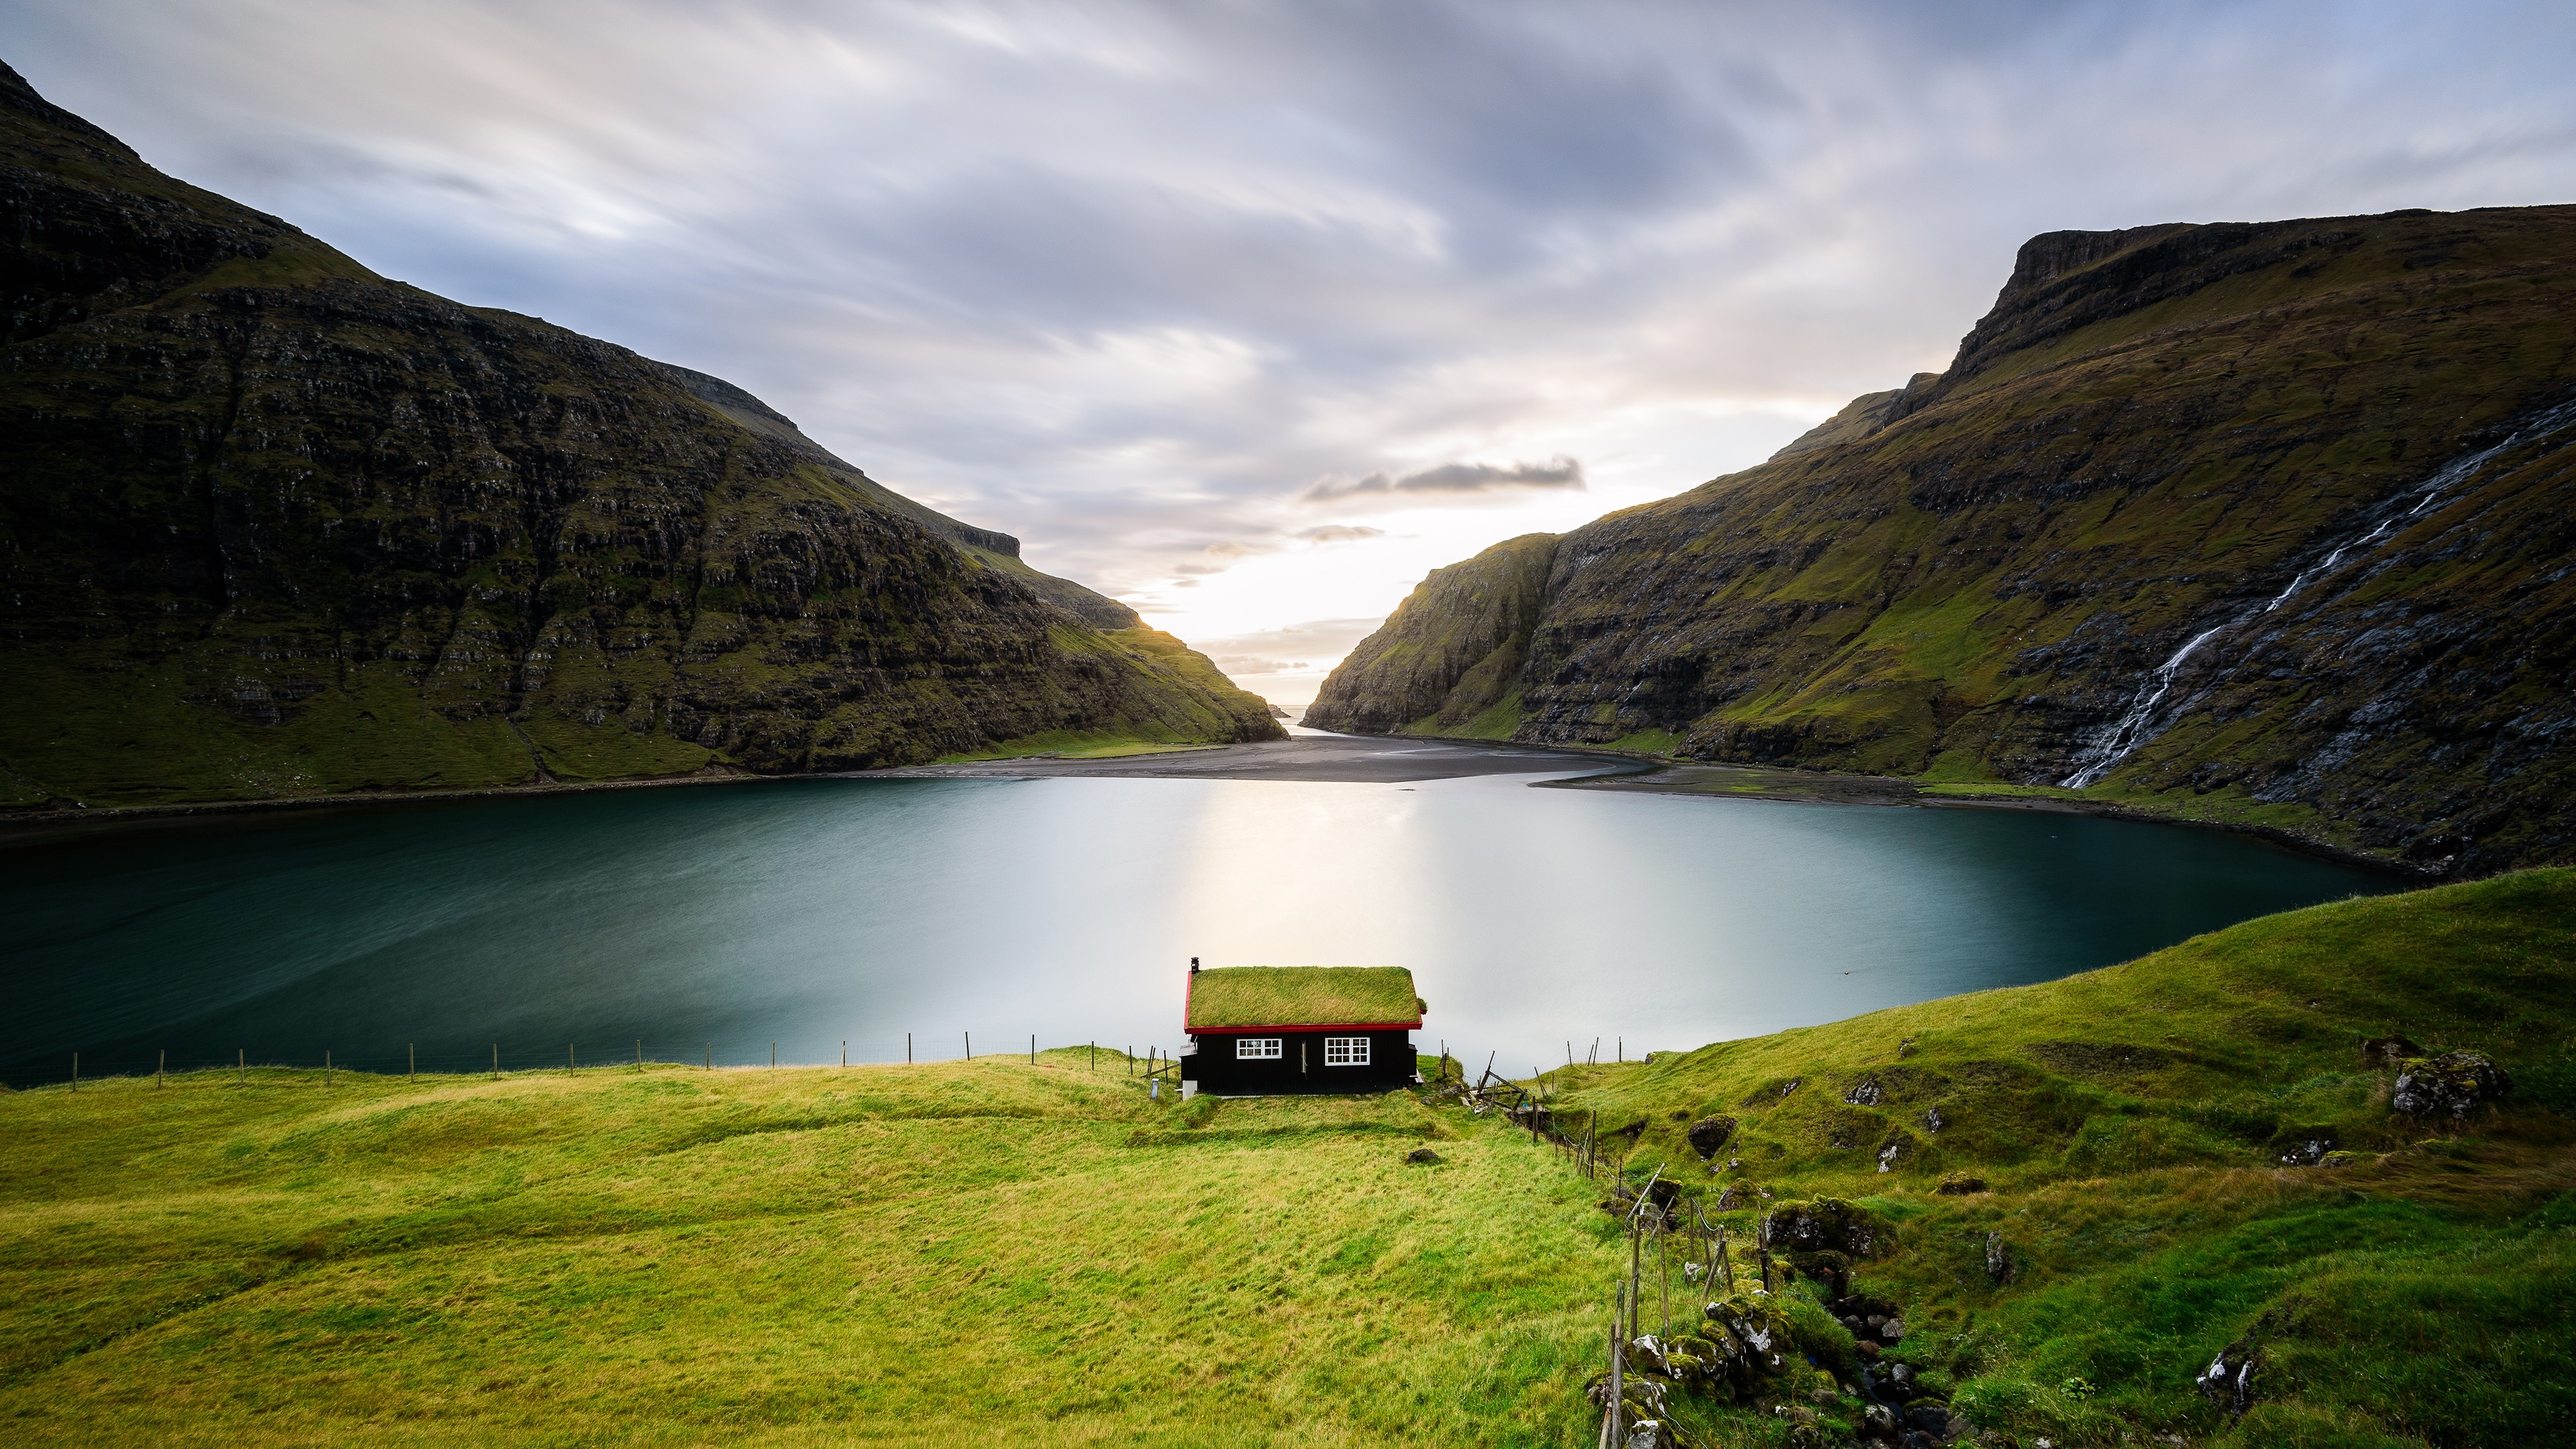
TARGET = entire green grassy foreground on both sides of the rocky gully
(1011,1252)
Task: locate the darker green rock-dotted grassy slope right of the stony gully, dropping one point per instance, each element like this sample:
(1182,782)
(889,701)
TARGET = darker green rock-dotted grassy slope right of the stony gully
(2129,1131)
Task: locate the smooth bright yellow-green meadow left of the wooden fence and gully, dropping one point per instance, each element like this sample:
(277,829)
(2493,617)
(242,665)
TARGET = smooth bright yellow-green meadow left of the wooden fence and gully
(929,1254)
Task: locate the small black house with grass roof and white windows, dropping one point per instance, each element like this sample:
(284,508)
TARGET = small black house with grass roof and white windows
(1287,1030)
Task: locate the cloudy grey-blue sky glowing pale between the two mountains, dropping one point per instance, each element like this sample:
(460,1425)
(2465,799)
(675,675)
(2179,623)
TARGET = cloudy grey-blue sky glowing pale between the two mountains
(1256,313)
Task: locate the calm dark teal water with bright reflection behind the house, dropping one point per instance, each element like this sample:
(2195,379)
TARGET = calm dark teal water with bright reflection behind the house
(823,911)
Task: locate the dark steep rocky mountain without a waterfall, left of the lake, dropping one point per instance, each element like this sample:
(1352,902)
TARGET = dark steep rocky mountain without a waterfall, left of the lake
(274,525)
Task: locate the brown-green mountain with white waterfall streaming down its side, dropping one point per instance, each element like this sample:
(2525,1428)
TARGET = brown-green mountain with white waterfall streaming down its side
(2250,522)
